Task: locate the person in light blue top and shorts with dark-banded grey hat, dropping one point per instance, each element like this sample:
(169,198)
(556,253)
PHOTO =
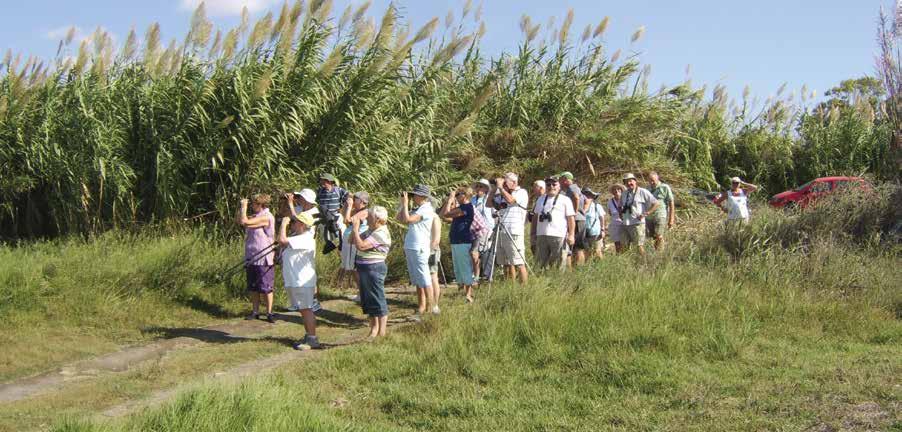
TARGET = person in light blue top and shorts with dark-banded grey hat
(418,244)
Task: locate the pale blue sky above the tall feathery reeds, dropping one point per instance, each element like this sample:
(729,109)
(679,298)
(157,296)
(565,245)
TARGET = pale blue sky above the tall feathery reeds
(736,43)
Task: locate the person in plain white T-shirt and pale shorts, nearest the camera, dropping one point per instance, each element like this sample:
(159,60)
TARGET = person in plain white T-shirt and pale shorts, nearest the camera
(299,272)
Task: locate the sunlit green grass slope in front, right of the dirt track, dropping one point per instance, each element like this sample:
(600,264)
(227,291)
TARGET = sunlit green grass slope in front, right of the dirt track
(788,338)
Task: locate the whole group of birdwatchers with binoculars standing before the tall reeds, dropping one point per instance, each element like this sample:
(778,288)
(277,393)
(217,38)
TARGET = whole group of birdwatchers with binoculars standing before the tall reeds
(568,225)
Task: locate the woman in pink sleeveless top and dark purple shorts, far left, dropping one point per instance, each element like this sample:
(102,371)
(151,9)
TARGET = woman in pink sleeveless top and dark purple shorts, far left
(259,253)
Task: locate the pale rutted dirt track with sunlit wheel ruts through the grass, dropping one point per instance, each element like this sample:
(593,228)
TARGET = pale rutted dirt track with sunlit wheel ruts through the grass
(179,339)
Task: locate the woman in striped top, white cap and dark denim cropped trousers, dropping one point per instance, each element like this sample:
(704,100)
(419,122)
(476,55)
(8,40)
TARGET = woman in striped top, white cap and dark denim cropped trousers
(372,248)
